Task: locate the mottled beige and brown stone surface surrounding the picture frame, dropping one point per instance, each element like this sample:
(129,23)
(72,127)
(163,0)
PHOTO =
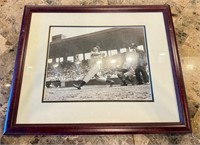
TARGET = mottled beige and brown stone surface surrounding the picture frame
(186,17)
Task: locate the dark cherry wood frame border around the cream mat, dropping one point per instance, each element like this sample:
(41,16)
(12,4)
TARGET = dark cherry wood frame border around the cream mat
(103,128)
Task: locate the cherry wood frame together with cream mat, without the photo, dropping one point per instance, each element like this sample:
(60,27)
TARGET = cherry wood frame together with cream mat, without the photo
(115,121)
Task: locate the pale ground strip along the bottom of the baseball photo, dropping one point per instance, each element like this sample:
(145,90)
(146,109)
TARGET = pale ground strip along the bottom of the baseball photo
(99,93)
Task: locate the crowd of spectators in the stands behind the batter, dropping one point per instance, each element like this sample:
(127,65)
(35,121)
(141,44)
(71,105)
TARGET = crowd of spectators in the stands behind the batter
(70,71)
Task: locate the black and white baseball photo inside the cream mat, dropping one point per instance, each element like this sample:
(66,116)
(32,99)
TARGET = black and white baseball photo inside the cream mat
(93,63)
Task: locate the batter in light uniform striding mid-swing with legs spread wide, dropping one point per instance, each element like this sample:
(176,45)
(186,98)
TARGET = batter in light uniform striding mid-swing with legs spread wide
(95,63)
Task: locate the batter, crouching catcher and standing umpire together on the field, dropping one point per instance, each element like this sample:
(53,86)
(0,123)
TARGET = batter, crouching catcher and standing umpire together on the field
(126,71)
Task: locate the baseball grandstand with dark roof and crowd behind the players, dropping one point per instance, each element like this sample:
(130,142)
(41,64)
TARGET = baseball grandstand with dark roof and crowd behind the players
(68,58)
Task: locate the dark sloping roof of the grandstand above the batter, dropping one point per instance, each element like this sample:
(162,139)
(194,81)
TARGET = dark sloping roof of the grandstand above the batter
(114,38)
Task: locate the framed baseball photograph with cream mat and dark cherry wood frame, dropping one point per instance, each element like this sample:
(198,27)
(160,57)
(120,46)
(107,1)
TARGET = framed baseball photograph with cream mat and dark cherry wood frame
(97,70)
